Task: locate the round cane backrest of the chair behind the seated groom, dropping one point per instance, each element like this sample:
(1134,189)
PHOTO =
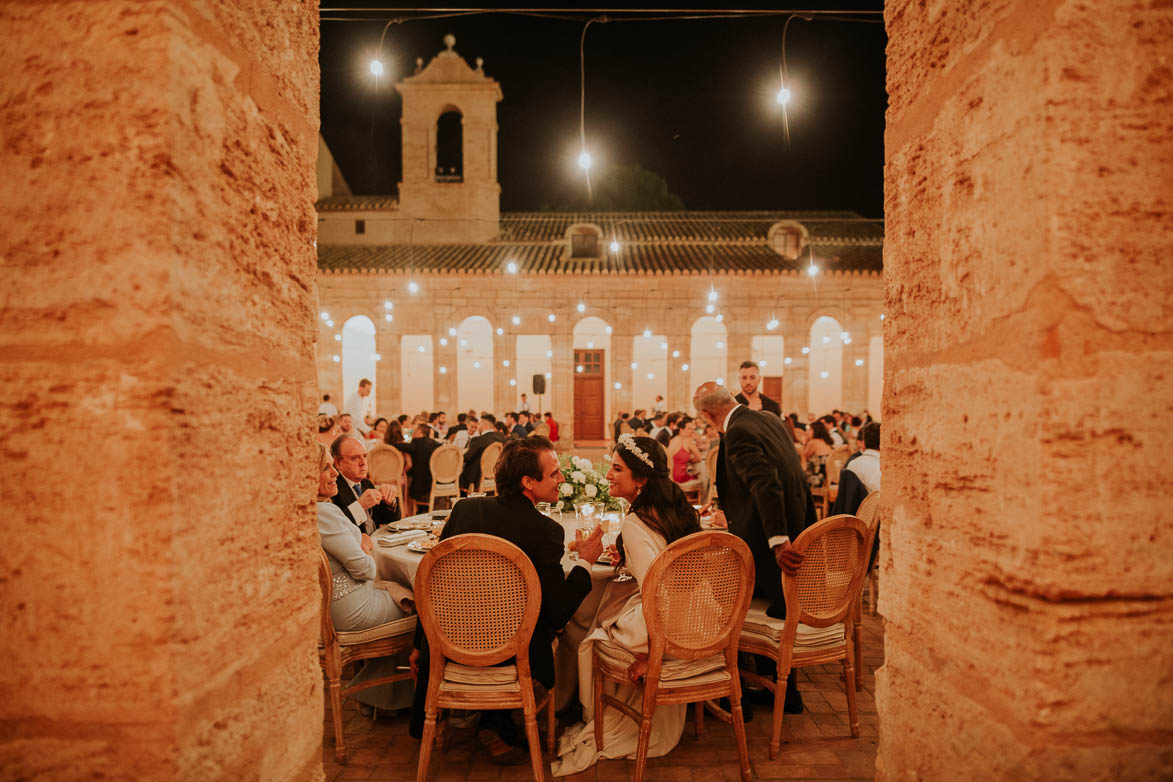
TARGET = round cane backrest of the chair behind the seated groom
(478,597)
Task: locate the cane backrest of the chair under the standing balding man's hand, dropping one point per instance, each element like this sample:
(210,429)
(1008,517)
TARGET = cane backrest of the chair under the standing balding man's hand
(831,577)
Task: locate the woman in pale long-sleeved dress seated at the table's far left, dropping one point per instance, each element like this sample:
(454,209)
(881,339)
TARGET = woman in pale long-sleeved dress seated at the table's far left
(360,601)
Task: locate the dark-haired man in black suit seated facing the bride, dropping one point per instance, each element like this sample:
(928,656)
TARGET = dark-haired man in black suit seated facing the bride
(527,473)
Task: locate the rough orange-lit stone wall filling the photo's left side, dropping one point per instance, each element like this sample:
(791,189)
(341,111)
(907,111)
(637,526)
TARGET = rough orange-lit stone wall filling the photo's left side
(158,568)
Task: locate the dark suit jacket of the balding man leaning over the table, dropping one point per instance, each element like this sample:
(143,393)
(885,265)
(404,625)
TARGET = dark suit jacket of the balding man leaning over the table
(764,493)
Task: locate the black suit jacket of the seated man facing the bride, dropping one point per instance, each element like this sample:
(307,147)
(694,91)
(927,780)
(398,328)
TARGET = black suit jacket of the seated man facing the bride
(541,539)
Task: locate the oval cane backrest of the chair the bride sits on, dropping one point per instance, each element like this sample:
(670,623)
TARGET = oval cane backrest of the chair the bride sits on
(696,595)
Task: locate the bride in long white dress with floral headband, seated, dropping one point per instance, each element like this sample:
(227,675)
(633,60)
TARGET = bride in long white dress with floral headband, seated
(660,515)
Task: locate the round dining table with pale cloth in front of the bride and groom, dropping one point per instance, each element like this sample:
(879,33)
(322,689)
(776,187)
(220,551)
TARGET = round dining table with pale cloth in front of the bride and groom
(398,563)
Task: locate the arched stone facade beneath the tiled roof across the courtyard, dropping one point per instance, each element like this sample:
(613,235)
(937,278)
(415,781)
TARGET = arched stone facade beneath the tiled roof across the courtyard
(669,305)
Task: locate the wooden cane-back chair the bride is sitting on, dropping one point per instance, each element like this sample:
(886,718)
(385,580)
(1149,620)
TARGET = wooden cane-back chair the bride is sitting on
(696,595)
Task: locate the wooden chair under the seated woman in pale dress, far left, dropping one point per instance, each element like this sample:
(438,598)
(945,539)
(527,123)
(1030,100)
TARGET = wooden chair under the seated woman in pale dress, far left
(336,650)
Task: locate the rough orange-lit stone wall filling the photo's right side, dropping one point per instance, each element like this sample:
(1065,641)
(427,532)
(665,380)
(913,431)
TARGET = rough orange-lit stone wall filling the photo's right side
(1028,346)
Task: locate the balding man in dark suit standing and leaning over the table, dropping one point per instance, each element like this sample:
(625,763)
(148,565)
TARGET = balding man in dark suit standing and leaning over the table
(764,495)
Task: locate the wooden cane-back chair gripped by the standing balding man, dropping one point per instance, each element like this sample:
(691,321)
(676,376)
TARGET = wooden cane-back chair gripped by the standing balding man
(819,607)
